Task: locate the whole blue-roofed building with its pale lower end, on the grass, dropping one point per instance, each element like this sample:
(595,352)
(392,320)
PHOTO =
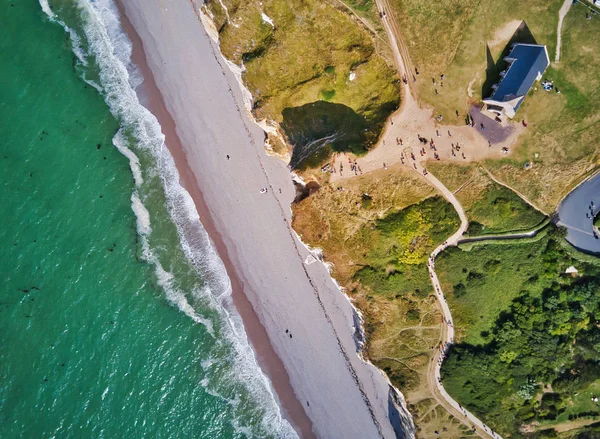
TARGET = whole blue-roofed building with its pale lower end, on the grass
(526,64)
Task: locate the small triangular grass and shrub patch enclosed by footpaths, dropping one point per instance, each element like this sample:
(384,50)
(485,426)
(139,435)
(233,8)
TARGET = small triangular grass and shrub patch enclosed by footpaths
(490,207)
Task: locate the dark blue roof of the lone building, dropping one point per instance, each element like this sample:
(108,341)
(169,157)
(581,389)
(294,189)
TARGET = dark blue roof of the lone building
(527,61)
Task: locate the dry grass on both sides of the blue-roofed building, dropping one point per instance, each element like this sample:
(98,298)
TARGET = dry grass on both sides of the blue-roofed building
(465,39)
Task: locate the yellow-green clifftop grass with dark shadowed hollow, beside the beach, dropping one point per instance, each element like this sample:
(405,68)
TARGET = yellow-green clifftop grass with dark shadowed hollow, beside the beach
(312,68)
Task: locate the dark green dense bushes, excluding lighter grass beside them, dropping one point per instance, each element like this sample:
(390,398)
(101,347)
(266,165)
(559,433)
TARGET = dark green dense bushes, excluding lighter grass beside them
(552,338)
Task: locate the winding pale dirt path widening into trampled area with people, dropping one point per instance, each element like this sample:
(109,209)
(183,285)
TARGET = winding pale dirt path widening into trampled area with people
(412,123)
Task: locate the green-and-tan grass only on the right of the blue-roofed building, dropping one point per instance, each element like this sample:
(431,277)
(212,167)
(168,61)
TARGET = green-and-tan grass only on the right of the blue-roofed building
(566,125)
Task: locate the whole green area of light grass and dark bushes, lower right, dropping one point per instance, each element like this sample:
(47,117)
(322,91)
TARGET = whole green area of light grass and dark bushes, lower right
(526,357)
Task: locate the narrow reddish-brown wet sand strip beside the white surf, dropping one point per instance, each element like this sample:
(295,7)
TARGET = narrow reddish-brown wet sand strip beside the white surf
(267,359)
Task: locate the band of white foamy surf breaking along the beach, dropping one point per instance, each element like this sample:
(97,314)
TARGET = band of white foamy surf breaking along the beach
(97,36)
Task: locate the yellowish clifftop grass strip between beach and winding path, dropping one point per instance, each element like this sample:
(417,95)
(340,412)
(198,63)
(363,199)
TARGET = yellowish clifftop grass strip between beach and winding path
(377,231)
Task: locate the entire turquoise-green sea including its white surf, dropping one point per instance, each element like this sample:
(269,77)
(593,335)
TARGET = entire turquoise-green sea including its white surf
(115,313)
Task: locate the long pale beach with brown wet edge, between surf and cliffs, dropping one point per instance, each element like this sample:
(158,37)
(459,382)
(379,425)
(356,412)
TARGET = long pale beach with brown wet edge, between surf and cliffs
(309,323)
